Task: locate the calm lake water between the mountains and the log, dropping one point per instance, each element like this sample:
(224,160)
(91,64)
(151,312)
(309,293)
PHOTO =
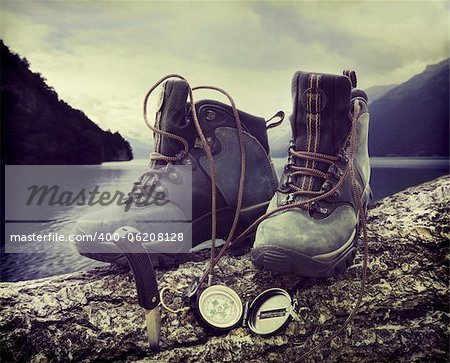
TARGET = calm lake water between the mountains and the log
(389,175)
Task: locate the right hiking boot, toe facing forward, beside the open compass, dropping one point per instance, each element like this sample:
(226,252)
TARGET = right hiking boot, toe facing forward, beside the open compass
(319,238)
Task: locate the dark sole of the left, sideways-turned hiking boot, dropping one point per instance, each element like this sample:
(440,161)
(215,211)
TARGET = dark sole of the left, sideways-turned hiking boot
(108,252)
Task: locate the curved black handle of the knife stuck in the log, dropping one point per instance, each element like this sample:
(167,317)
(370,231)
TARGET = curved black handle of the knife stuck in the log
(141,265)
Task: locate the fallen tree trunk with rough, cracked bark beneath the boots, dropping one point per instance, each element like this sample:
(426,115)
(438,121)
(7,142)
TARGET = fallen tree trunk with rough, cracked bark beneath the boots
(93,315)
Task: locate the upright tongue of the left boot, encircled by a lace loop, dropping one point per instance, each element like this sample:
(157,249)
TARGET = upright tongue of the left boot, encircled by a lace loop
(172,116)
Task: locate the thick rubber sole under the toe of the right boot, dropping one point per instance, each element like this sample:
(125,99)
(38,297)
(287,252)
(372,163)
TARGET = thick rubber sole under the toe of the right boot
(275,258)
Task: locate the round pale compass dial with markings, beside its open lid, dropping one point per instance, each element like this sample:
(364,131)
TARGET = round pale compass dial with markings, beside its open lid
(220,306)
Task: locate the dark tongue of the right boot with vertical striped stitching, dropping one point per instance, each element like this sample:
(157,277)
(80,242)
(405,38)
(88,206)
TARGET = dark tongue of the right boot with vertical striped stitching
(320,119)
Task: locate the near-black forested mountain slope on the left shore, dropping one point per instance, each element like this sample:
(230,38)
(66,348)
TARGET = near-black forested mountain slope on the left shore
(38,128)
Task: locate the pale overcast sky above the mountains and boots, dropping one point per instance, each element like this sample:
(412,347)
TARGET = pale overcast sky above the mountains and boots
(101,57)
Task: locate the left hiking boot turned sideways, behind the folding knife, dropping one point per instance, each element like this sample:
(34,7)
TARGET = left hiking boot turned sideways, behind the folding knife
(219,127)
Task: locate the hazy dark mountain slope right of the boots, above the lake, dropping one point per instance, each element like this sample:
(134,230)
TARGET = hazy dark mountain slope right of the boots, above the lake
(412,119)
